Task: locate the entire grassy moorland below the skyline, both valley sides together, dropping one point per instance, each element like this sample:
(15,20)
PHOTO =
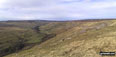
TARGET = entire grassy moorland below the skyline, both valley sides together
(84,38)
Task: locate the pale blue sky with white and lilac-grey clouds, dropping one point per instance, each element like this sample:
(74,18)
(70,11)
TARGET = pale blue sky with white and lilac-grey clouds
(57,9)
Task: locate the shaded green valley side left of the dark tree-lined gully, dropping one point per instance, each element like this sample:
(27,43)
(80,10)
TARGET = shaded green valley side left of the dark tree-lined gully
(14,35)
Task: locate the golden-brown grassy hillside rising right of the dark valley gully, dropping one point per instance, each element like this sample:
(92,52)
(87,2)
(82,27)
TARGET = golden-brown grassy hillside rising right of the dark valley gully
(73,39)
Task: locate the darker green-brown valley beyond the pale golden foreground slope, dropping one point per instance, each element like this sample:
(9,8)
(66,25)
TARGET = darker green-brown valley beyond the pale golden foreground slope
(13,34)
